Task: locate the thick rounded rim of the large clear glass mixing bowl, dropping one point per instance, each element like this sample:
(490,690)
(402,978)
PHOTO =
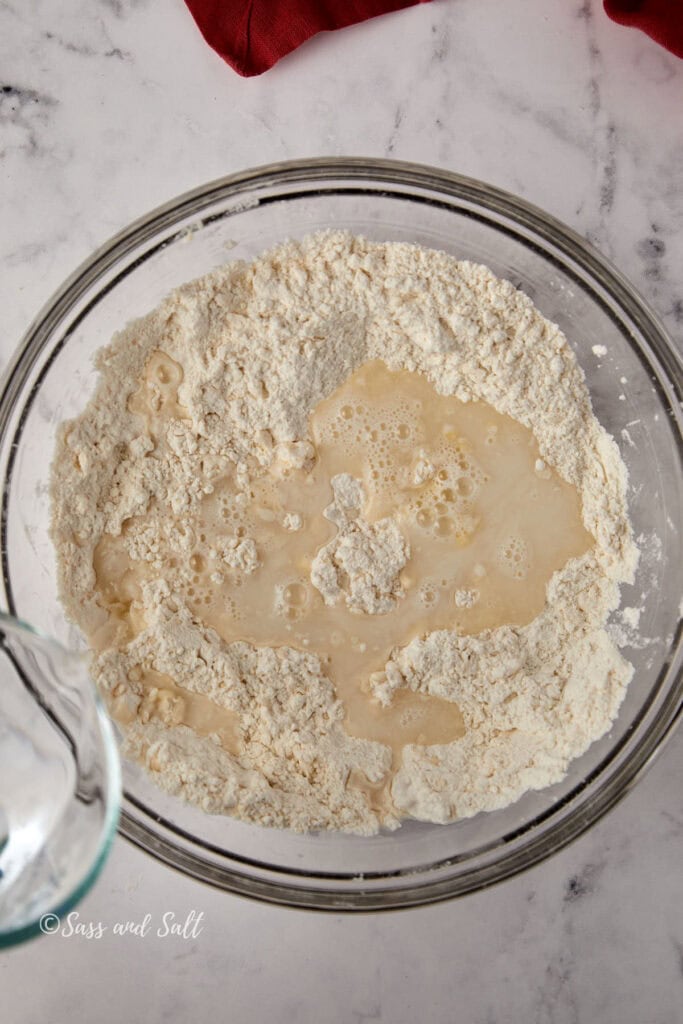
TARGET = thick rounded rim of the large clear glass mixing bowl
(662,357)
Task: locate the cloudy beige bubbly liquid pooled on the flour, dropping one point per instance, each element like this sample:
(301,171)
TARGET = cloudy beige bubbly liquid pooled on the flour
(486,522)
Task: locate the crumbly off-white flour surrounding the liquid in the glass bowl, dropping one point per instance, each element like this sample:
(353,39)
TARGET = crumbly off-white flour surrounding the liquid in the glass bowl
(249,352)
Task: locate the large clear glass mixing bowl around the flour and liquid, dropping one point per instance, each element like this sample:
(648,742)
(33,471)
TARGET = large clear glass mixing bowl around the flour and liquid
(636,391)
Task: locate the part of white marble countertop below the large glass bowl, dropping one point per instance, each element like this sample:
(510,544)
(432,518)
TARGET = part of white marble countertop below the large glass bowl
(593,935)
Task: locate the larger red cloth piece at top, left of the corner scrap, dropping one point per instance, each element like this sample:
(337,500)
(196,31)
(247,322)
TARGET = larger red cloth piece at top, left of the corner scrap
(253,35)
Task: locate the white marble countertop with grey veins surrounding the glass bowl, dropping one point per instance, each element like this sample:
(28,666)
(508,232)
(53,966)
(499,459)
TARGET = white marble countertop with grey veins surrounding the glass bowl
(110,107)
